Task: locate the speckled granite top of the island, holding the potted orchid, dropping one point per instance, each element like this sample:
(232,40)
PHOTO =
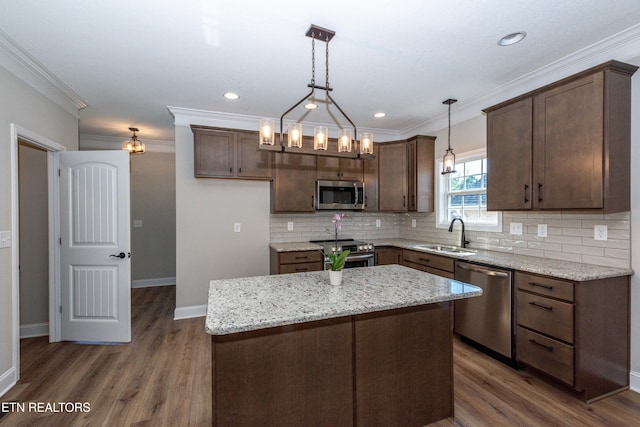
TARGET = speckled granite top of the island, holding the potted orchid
(251,303)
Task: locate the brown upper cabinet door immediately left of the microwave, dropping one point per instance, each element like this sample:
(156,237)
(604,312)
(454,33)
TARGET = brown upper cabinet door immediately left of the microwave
(293,183)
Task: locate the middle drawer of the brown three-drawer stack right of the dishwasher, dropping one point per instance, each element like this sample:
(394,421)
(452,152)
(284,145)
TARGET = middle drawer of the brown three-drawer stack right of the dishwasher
(545,315)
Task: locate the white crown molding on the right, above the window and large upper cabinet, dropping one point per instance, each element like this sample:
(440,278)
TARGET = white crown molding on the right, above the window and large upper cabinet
(623,46)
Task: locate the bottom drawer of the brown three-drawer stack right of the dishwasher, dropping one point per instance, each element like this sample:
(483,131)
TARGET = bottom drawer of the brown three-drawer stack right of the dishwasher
(545,354)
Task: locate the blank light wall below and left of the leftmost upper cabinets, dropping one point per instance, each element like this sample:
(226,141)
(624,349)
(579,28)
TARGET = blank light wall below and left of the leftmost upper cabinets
(207,246)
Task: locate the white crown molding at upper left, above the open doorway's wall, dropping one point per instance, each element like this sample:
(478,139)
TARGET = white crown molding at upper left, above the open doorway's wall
(24,66)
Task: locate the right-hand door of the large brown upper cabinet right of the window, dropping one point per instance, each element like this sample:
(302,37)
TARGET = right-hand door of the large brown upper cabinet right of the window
(568,145)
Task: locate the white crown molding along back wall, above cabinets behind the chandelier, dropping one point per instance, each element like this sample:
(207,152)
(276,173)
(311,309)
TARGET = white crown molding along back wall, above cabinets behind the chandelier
(189,116)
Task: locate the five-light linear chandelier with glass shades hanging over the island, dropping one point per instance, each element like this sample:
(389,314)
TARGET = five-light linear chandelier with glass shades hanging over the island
(348,146)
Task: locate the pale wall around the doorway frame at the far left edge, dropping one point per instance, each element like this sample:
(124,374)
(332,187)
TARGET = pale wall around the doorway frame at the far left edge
(22,105)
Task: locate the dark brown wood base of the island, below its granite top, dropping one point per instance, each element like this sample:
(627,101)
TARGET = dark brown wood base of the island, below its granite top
(389,368)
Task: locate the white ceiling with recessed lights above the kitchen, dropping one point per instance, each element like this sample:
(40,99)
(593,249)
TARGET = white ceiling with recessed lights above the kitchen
(130,59)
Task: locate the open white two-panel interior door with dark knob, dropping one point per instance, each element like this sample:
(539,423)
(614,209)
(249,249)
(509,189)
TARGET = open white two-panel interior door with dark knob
(95,244)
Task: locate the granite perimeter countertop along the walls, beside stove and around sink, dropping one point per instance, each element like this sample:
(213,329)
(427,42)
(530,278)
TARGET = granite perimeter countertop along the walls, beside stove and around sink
(525,263)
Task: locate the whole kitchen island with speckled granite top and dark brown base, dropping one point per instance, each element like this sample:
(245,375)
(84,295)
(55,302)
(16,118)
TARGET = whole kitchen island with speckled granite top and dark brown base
(292,350)
